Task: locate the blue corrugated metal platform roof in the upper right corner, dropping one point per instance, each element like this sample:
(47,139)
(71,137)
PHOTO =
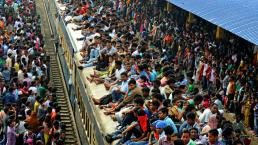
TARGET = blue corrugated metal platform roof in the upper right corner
(237,16)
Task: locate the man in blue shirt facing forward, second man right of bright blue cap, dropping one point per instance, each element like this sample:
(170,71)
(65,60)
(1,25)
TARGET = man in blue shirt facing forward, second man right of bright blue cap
(189,123)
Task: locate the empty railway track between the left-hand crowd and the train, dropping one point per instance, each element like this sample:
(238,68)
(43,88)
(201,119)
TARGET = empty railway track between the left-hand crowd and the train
(56,77)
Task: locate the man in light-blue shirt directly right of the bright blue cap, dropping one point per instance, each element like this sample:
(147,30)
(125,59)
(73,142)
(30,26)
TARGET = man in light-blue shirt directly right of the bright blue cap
(163,115)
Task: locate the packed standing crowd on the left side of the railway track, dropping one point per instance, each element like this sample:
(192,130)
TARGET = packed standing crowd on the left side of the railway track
(30,114)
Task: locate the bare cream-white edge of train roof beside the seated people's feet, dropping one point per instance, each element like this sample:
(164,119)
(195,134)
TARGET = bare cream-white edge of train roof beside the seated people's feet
(106,124)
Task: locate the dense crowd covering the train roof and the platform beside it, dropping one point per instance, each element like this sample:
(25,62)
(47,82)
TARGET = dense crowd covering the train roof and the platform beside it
(170,81)
